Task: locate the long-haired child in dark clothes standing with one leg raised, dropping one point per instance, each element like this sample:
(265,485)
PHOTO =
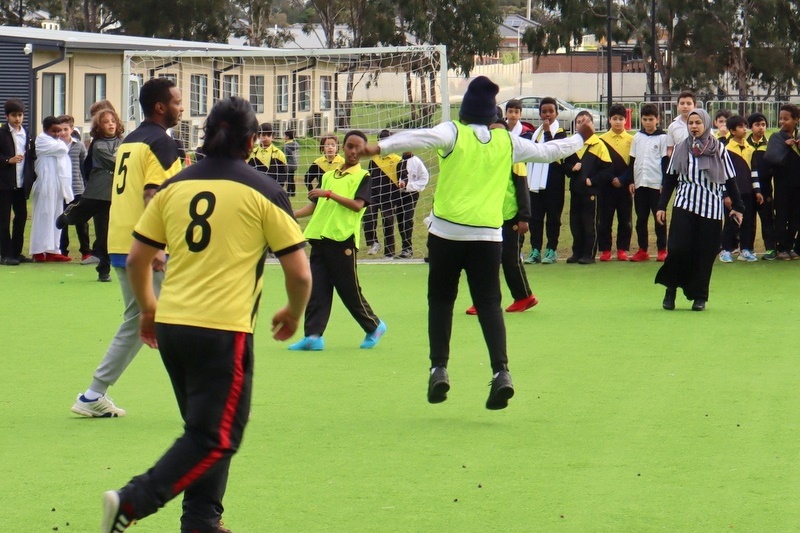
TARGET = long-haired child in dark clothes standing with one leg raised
(106,134)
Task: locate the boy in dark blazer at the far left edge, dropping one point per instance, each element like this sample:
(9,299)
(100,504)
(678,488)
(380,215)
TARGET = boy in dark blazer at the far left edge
(16,179)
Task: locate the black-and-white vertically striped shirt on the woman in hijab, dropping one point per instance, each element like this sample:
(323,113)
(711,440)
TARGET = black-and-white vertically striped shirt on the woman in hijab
(697,194)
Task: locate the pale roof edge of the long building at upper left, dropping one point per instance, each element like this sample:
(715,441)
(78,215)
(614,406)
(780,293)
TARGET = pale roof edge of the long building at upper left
(50,39)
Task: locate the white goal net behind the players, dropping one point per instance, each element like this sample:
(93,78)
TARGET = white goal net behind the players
(313,93)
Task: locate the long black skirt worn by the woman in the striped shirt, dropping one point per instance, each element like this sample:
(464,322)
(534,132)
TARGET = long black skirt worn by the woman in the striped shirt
(692,250)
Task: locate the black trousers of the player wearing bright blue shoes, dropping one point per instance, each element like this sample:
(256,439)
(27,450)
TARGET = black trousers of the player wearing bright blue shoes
(334,266)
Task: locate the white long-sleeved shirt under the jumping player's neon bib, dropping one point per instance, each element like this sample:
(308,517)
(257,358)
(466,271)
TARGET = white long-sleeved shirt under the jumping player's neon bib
(443,137)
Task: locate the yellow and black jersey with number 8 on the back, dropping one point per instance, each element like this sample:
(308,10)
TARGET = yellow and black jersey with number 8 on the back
(218,217)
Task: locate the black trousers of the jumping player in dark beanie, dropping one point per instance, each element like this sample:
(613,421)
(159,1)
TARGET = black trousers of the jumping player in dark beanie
(481,261)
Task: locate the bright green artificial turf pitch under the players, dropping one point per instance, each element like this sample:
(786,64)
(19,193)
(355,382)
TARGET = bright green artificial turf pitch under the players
(626,417)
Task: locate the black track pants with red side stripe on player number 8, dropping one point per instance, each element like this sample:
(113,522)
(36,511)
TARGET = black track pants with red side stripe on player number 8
(212,374)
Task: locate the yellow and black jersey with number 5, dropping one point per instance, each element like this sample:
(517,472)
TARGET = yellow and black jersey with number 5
(146,158)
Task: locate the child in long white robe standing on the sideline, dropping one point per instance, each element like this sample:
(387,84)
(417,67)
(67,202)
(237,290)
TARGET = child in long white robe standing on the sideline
(53,187)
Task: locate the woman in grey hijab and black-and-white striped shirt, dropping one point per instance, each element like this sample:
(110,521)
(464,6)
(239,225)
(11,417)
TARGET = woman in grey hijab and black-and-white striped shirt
(704,176)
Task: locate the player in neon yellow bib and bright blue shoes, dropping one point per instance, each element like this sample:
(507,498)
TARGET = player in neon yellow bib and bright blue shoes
(336,210)
